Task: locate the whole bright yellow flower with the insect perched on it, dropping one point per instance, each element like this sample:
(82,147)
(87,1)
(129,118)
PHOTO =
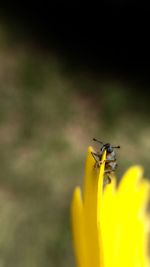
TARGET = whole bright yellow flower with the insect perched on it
(110,226)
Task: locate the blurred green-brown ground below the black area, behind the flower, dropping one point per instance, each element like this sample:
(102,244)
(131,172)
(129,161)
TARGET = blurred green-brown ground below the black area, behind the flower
(49,112)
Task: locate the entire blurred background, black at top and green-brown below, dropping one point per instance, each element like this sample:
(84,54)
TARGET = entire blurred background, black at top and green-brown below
(66,75)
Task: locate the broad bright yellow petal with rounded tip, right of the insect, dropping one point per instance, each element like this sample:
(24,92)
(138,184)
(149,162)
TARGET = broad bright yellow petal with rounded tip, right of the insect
(130,235)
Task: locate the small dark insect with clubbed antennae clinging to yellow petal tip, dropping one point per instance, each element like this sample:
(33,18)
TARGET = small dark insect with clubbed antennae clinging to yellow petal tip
(110,162)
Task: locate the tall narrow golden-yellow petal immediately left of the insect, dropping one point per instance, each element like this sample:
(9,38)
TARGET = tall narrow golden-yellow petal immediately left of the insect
(90,211)
